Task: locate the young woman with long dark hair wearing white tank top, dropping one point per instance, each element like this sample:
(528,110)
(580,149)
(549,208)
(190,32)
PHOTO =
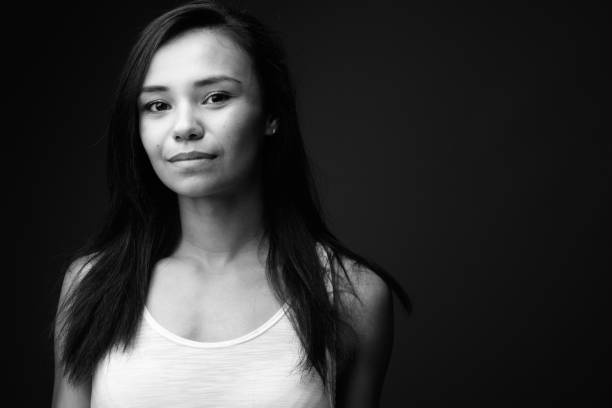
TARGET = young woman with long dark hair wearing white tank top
(214,281)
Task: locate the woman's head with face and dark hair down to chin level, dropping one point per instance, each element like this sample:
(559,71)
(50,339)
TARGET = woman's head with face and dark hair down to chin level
(246,125)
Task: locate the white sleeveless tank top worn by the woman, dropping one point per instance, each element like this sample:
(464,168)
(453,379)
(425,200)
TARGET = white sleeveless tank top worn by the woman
(162,369)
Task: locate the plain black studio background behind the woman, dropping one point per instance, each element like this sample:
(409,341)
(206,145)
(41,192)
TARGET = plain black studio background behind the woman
(461,148)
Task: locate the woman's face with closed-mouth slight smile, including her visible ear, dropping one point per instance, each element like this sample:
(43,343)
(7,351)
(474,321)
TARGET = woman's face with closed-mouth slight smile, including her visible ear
(201,95)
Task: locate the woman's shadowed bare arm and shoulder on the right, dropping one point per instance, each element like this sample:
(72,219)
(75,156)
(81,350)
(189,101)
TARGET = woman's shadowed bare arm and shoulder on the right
(360,384)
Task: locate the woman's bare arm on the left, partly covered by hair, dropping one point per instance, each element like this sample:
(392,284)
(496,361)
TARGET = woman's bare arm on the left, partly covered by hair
(66,395)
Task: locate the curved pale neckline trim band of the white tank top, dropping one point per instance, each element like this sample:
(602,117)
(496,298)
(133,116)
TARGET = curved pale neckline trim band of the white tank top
(213,344)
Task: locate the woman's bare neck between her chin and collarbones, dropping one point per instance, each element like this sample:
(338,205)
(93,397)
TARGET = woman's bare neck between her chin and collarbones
(216,230)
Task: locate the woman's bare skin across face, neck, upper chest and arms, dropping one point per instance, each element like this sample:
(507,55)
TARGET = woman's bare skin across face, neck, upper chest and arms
(201,93)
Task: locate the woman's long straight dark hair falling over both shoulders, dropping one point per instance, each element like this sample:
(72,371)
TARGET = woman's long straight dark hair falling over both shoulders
(142,223)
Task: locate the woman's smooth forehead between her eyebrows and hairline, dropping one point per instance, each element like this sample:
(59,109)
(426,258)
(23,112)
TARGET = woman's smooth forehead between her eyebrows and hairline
(197,54)
